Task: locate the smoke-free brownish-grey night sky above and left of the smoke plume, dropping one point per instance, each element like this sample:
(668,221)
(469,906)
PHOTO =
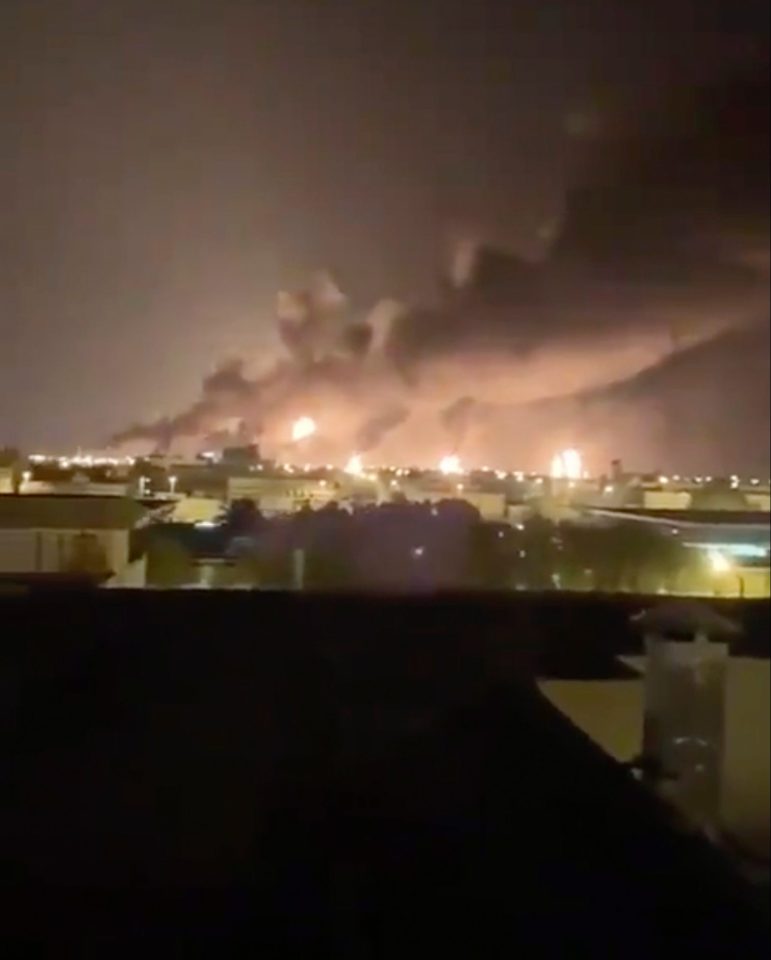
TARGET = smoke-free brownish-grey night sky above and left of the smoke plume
(167,166)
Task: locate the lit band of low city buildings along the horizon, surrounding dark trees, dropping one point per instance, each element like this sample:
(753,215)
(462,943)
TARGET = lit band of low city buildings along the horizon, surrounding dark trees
(52,504)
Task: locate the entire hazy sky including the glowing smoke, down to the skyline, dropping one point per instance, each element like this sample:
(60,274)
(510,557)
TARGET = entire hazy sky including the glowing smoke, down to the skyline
(523,214)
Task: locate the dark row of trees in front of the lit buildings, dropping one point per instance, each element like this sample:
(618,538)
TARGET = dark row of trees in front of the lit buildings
(407,546)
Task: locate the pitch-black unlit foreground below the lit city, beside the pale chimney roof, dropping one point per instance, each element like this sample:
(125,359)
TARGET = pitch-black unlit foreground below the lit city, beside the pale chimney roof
(228,774)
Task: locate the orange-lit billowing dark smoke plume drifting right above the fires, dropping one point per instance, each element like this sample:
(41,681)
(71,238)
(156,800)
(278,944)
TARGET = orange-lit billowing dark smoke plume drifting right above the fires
(663,248)
